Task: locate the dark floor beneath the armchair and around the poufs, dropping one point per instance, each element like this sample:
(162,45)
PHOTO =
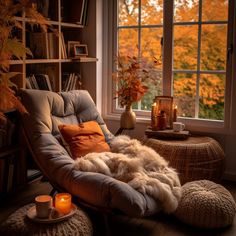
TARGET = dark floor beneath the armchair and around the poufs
(159,225)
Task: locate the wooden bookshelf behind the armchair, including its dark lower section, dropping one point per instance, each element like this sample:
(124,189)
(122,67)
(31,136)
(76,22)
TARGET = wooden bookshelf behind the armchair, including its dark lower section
(66,26)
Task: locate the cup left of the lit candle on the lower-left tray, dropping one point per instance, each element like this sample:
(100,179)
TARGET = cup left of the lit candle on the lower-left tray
(44,204)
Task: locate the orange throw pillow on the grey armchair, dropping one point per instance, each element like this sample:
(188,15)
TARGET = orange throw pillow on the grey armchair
(83,138)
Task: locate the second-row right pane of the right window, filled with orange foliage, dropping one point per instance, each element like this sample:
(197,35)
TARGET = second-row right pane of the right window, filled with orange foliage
(213,49)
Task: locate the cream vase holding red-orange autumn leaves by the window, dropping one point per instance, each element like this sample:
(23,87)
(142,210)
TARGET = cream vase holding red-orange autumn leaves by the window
(128,118)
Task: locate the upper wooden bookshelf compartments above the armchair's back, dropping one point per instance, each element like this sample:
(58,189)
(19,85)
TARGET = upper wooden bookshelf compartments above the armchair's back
(68,20)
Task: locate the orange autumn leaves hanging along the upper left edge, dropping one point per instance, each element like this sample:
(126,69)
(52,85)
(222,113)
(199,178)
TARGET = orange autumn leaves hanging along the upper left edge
(10,47)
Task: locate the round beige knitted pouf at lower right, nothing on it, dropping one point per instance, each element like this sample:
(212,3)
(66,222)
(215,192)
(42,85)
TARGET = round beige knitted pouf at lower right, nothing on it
(206,204)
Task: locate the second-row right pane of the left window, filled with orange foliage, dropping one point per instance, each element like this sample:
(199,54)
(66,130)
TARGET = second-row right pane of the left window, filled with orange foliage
(151,45)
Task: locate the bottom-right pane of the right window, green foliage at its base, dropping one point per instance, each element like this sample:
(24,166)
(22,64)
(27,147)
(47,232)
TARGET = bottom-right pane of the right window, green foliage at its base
(212,89)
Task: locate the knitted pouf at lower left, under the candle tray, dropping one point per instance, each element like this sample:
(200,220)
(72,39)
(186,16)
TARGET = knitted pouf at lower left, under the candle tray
(18,224)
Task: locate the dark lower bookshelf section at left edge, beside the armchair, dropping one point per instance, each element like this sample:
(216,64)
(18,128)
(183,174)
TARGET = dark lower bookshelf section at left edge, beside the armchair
(12,155)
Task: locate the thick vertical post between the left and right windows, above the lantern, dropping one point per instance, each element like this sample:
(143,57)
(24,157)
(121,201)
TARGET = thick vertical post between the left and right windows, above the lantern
(167,47)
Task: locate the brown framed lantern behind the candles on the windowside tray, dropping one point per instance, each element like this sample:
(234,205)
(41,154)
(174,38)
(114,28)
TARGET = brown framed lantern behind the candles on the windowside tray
(165,103)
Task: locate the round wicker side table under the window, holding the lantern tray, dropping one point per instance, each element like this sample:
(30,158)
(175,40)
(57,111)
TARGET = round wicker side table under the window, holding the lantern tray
(194,158)
